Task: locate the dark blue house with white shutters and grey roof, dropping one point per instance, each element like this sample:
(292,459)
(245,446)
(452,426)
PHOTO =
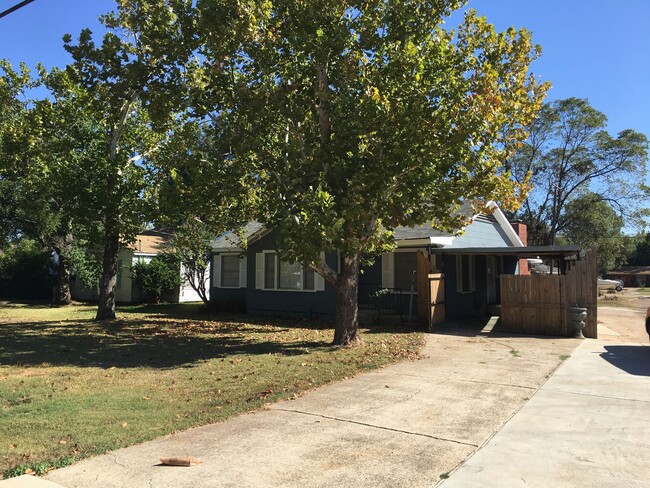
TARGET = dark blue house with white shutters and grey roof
(258,282)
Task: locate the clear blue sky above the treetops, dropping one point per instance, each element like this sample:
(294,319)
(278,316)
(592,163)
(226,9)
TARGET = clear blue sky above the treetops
(595,49)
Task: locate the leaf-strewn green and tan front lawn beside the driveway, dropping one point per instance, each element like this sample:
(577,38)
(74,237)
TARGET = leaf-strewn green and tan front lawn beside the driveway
(71,388)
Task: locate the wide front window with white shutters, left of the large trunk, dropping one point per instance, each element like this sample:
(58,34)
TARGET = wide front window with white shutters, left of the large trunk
(281,275)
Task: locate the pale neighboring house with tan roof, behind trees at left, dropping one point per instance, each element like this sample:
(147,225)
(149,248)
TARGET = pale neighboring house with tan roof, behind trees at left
(148,244)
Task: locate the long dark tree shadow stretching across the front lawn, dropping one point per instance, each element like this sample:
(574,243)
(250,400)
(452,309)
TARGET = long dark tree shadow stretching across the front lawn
(134,343)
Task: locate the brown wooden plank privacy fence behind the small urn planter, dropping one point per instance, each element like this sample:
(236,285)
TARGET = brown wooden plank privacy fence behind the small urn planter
(539,304)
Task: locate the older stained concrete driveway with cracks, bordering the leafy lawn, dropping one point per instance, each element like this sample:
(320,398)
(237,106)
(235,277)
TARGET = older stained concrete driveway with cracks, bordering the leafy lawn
(406,425)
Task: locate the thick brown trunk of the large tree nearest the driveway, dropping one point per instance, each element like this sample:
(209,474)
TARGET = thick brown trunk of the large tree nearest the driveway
(346,330)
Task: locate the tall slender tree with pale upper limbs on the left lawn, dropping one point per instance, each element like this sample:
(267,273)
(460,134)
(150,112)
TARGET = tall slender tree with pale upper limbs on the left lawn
(121,83)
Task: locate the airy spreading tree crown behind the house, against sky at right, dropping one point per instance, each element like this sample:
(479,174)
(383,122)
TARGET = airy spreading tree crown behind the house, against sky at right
(569,153)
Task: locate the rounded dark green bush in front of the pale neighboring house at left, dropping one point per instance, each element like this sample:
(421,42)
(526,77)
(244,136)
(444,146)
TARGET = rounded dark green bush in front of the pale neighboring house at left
(158,277)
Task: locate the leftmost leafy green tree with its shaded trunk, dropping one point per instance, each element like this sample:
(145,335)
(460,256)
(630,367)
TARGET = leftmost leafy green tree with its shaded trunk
(47,169)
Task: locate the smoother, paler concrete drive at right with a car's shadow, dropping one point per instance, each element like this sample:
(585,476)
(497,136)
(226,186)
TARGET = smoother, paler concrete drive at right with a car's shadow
(588,426)
